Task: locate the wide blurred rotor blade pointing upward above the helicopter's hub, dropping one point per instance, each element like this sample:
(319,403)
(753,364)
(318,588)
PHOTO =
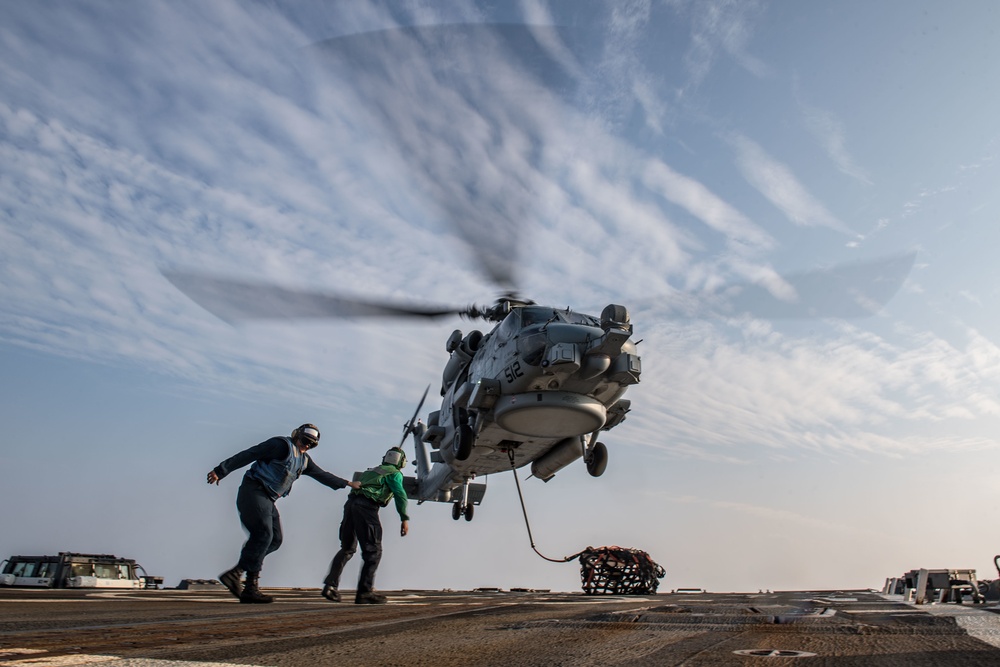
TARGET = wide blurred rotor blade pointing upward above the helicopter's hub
(457,105)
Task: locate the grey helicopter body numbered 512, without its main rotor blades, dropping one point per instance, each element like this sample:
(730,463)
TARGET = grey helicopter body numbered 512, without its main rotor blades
(537,389)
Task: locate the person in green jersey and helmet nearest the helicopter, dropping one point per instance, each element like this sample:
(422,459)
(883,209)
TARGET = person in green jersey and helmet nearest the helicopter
(361,525)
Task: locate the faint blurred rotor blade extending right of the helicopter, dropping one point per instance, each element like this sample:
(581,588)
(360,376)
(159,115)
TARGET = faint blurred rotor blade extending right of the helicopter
(845,291)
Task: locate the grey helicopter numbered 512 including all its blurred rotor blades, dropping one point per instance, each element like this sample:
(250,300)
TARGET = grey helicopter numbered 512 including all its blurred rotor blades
(540,387)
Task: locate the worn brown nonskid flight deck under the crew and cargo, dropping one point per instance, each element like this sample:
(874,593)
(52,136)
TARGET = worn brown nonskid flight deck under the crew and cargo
(174,628)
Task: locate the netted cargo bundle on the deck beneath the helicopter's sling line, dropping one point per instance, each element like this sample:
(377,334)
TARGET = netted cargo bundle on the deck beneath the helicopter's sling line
(618,571)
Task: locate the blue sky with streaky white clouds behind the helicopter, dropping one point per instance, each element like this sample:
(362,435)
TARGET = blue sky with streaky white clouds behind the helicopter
(642,152)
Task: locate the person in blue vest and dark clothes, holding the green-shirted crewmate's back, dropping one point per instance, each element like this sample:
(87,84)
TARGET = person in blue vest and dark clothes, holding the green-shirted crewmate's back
(277,463)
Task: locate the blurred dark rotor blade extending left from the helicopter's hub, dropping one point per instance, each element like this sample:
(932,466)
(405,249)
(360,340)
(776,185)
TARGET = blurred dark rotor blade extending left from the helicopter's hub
(234,300)
